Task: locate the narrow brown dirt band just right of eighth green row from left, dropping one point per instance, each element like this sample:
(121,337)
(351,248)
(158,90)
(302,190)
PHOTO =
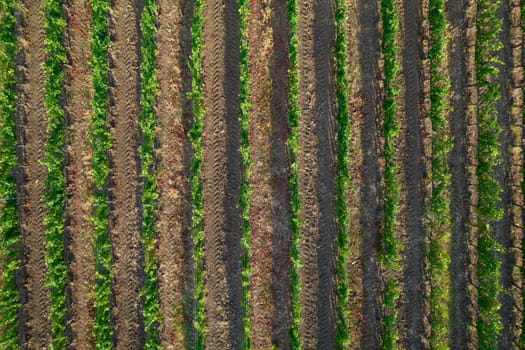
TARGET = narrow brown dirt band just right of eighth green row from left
(354,269)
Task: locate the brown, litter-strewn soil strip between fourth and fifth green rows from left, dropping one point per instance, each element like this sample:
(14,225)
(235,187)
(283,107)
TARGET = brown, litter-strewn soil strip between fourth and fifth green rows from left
(173,215)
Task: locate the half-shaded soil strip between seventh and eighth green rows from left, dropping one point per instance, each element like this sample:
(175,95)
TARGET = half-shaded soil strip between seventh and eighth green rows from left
(316,161)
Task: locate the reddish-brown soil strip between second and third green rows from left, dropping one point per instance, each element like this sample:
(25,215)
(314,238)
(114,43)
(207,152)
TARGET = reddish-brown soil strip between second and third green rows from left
(78,95)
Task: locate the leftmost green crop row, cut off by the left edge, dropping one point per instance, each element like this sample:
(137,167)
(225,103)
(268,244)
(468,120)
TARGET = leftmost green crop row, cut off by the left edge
(9,233)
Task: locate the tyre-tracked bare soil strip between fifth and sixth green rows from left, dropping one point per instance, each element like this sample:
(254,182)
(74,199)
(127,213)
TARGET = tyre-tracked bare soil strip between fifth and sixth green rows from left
(221,175)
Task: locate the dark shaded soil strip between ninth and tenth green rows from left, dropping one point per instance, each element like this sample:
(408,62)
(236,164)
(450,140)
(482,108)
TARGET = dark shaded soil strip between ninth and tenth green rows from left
(415,171)
